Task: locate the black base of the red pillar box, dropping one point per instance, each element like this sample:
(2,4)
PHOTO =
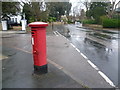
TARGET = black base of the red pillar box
(40,69)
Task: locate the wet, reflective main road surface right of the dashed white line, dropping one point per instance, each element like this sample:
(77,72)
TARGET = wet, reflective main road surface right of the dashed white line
(101,47)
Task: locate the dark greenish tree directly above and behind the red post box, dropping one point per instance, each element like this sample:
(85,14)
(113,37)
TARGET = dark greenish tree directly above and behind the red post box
(34,10)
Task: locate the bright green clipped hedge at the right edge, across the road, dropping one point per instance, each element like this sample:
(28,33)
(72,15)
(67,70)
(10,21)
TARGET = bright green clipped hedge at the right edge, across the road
(111,23)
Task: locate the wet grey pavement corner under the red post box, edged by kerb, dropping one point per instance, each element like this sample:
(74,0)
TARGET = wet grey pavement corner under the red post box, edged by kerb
(18,73)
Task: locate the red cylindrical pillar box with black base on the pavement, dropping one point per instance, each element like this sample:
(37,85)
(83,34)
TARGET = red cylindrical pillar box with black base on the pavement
(39,46)
